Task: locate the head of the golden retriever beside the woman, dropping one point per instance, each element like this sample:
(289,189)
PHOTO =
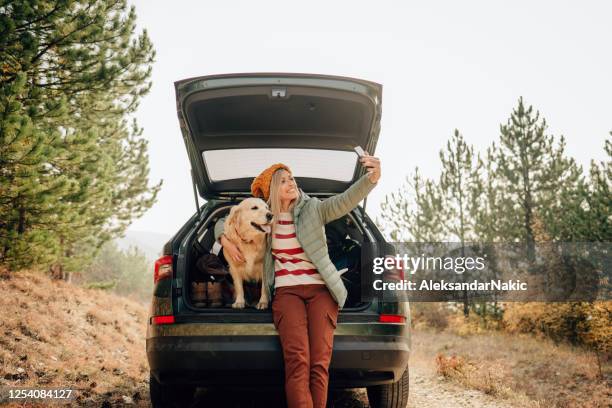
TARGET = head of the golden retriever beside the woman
(251,218)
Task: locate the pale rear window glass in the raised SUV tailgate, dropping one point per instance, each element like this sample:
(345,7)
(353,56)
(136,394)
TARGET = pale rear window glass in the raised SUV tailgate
(247,163)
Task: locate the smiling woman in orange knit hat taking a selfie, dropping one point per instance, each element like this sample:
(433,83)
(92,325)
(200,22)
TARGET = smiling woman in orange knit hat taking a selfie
(307,288)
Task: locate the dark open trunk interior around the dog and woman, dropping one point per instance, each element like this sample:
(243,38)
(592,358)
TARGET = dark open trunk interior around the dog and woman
(209,290)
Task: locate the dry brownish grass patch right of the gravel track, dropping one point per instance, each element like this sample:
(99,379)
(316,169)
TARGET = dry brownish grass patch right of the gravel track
(519,368)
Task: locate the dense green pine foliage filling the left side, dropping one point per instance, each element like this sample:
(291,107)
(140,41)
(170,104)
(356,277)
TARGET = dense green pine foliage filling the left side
(73,168)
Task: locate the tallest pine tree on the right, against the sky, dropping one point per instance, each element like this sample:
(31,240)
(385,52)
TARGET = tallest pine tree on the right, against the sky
(533,172)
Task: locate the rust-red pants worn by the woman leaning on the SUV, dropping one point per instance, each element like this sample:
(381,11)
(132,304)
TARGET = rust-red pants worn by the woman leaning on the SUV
(305,317)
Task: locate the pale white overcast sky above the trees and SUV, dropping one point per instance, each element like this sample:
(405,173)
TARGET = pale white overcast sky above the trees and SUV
(444,65)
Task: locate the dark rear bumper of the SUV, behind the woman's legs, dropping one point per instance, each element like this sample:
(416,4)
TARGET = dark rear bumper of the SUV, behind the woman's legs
(357,361)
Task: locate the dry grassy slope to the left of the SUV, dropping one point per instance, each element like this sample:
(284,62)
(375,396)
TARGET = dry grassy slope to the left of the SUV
(54,334)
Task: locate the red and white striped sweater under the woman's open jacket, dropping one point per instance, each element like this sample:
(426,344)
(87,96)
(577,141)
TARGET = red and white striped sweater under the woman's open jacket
(291,265)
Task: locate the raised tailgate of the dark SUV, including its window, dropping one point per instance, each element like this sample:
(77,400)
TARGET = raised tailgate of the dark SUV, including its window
(234,126)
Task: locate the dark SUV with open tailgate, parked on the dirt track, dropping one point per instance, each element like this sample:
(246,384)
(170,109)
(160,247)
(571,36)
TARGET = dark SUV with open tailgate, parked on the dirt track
(233,126)
